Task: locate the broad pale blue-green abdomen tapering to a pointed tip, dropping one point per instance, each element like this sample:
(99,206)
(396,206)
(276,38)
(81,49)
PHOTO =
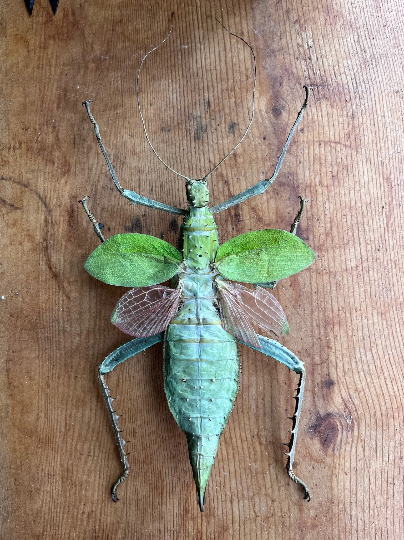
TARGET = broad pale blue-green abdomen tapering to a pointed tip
(201,372)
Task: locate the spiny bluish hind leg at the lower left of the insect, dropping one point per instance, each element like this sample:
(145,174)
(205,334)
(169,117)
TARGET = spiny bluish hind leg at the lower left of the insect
(121,354)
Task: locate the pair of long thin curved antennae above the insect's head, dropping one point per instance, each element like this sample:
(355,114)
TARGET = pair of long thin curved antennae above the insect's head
(252,106)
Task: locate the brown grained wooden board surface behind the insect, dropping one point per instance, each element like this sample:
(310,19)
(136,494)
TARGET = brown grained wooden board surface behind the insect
(58,456)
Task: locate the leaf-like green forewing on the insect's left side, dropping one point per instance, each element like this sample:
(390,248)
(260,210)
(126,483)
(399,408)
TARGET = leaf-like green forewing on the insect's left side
(133,260)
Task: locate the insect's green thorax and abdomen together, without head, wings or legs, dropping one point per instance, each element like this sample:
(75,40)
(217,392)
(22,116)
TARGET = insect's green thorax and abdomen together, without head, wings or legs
(201,365)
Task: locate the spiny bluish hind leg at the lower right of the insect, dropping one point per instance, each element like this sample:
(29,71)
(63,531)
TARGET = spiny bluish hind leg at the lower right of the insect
(272,348)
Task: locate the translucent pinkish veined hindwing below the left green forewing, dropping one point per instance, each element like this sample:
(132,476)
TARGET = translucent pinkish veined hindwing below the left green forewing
(146,311)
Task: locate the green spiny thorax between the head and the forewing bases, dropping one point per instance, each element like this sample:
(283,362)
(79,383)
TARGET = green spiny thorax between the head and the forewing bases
(199,237)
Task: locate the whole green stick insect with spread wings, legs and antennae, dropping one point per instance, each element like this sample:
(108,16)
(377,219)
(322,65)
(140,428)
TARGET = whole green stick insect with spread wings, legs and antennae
(205,314)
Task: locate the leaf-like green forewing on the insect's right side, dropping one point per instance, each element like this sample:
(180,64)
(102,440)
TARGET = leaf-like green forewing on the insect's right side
(263,256)
